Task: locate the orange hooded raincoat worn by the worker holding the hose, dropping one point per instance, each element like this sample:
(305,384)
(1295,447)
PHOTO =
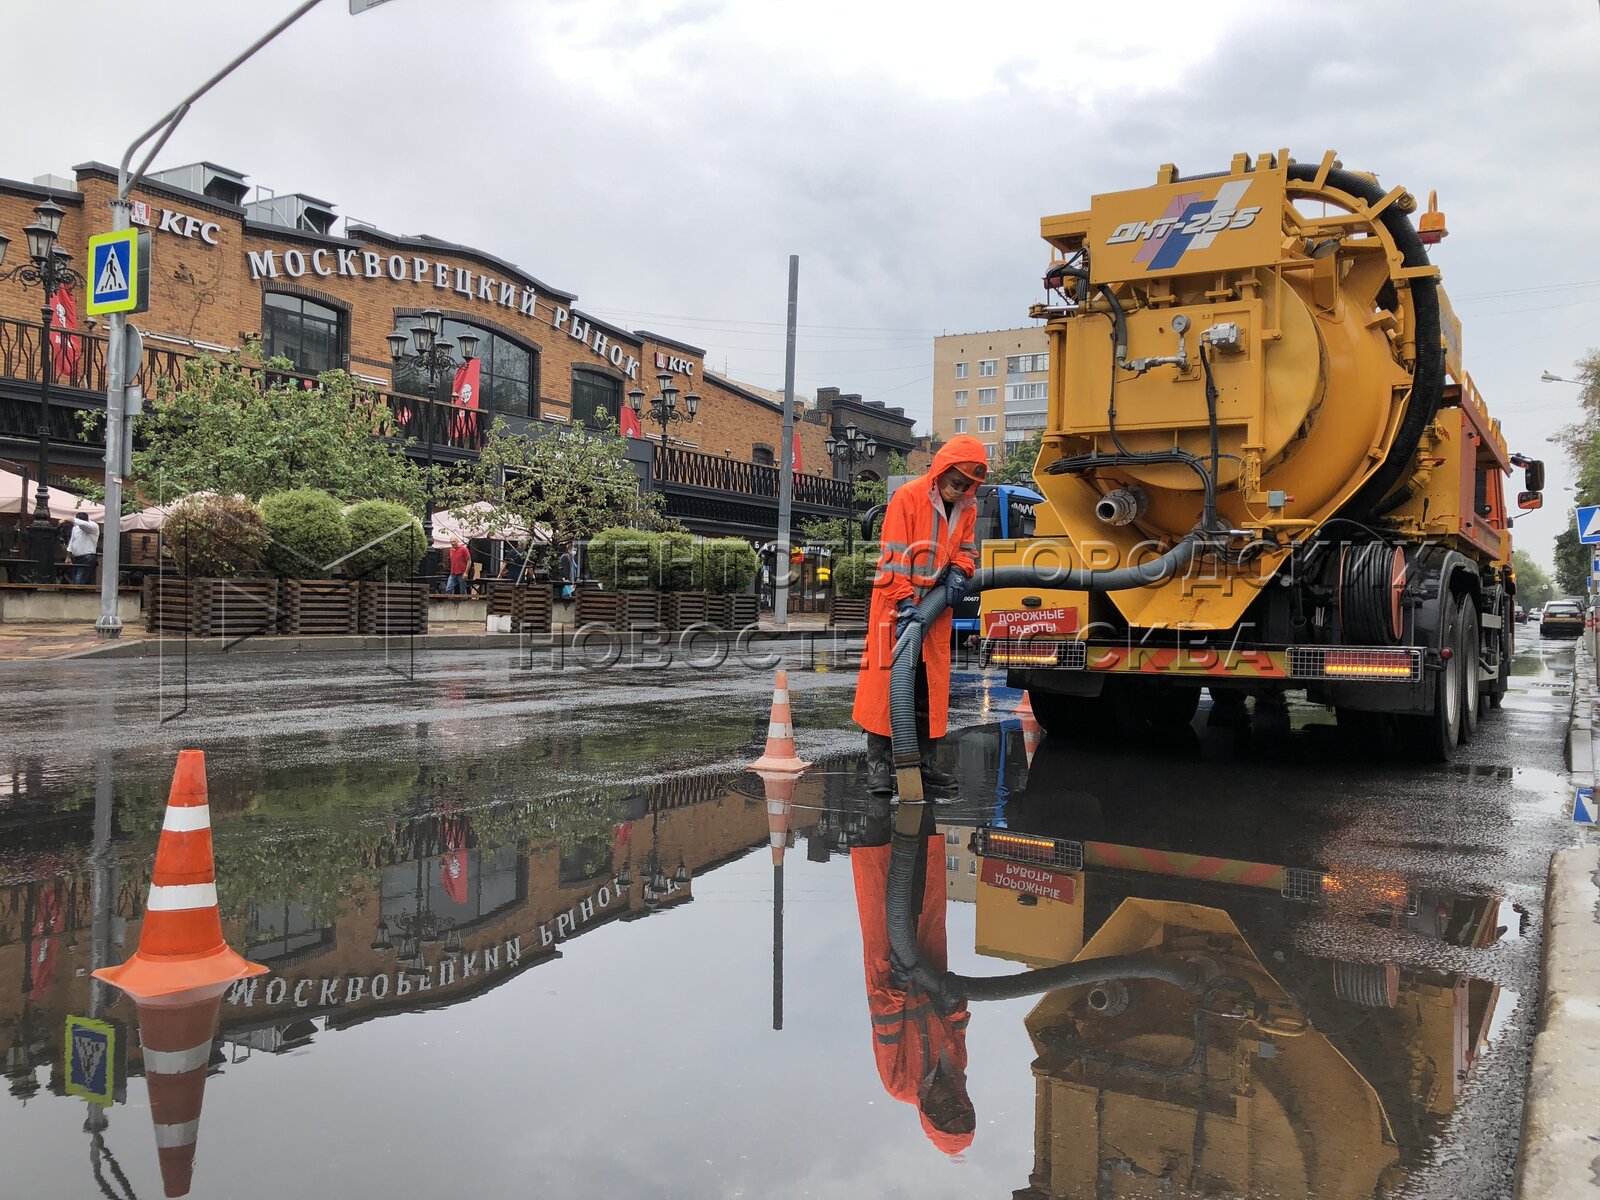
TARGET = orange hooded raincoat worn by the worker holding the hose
(919,543)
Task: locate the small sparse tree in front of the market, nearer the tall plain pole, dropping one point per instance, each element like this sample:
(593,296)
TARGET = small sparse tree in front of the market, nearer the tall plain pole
(564,486)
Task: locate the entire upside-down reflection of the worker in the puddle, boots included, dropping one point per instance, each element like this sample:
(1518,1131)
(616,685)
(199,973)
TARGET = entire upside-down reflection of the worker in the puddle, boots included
(921,1052)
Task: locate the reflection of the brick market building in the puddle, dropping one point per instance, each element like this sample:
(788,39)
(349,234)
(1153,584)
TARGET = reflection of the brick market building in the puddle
(439,910)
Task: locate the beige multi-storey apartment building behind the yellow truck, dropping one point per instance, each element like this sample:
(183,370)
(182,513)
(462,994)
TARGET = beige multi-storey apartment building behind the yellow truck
(991,386)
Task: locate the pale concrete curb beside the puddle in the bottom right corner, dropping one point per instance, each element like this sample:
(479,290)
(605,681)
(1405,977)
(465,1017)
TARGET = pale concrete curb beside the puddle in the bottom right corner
(1561,1129)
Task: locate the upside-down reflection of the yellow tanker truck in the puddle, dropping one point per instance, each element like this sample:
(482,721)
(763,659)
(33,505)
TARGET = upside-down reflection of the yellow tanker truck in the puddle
(1290,1074)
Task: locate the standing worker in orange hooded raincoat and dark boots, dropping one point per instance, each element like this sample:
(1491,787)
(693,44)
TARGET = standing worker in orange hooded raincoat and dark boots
(927,543)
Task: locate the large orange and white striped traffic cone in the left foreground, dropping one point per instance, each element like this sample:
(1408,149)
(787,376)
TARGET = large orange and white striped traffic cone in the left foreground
(182,943)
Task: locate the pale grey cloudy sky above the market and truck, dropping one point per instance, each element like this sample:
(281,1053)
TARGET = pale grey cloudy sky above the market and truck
(663,161)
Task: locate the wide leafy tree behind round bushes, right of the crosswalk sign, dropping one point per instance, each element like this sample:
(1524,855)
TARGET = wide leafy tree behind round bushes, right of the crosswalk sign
(230,428)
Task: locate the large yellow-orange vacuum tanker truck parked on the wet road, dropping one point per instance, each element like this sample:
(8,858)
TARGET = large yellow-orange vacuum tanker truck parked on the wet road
(1255,377)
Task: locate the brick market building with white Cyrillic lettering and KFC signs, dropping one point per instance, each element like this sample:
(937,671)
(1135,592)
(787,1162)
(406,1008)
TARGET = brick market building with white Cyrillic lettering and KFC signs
(286,273)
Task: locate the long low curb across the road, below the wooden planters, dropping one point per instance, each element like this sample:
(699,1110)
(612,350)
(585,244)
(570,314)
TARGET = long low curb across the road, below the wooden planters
(574,641)
